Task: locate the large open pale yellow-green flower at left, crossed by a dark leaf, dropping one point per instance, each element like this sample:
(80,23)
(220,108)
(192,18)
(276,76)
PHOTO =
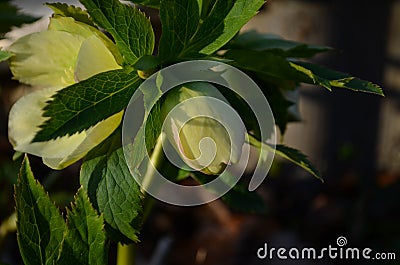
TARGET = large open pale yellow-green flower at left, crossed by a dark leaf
(68,52)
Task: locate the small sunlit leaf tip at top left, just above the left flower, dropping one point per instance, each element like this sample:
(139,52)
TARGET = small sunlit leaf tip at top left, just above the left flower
(65,10)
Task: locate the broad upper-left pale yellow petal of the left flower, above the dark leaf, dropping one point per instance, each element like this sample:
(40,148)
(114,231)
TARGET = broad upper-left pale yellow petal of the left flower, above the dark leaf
(46,58)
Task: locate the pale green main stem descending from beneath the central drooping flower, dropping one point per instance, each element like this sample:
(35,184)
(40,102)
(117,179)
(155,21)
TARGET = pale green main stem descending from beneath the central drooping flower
(126,254)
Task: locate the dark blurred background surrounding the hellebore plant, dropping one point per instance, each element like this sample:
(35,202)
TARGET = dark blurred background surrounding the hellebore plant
(352,138)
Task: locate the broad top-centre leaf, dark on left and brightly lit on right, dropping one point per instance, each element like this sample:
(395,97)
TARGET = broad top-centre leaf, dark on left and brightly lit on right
(191,27)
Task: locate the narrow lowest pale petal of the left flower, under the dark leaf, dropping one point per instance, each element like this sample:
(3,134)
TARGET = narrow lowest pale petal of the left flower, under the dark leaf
(92,137)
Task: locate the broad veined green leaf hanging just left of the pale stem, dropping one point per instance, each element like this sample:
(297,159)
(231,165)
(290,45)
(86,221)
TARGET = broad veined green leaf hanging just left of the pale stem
(111,187)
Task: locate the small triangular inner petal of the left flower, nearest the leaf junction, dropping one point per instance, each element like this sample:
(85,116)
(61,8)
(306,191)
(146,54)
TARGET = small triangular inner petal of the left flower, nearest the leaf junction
(93,58)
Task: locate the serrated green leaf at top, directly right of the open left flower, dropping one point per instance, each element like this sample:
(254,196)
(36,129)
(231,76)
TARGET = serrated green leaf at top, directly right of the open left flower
(131,30)
